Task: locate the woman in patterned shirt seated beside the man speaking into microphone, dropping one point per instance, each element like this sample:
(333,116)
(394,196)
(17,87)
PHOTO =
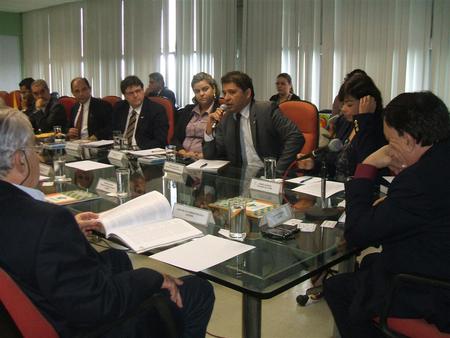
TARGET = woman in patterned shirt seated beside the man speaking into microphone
(190,128)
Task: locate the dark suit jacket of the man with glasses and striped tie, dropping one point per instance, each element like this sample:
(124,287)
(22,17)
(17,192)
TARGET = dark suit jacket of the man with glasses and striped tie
(152,127)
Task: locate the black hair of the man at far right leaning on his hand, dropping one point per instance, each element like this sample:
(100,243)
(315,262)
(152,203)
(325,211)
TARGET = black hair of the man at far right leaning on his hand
(423,115)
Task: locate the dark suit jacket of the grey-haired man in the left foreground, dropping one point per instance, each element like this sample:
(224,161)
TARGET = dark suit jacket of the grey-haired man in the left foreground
(73,286)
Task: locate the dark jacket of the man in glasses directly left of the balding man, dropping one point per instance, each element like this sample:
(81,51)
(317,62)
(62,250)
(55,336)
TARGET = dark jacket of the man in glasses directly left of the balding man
(53,115)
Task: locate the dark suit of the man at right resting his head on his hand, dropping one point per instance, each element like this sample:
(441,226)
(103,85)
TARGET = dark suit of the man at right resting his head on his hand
(413,226)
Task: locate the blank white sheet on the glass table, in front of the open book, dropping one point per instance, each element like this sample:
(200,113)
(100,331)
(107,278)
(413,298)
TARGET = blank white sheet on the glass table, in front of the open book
(191,256)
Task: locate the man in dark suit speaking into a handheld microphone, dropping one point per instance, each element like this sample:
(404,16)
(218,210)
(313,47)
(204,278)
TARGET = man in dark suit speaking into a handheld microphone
(250,130)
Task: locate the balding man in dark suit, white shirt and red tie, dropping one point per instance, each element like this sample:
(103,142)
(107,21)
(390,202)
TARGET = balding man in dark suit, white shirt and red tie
(91,117)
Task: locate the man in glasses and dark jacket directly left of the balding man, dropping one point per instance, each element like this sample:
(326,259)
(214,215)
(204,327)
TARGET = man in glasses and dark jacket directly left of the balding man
(49,112)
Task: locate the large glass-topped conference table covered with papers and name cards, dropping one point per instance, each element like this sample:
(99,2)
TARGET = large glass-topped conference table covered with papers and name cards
(269,269)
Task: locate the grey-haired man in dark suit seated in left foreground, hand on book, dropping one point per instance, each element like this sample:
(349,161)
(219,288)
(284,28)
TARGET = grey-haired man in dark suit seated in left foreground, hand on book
(75,287)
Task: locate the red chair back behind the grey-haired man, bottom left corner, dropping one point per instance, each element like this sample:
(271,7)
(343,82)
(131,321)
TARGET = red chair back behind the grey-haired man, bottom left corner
(27,318)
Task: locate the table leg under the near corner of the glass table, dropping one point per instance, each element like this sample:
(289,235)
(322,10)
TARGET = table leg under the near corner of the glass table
(251,317)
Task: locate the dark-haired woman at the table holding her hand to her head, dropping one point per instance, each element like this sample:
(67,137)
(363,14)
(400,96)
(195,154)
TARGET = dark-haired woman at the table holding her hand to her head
(360,127)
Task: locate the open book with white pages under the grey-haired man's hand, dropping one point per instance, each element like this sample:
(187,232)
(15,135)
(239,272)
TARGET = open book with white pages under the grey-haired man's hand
(146,222)
